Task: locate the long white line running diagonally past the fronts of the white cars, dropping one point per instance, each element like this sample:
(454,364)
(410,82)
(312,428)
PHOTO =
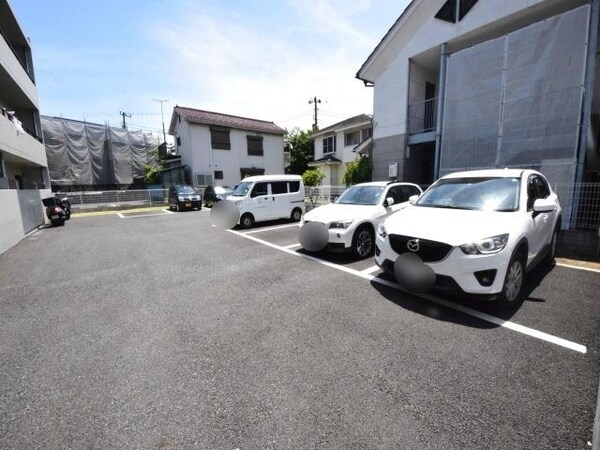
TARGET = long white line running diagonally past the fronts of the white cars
(464,309)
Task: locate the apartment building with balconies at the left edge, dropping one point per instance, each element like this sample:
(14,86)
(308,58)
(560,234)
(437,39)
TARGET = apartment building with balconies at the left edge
(24,179)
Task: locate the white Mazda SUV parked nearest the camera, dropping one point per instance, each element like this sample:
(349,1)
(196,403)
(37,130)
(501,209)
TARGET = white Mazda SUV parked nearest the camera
(479,231)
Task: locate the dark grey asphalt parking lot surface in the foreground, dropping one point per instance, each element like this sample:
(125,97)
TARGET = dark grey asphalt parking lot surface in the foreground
(158,330)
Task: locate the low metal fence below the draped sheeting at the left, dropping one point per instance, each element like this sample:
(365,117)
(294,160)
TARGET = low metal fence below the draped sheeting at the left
(92,199)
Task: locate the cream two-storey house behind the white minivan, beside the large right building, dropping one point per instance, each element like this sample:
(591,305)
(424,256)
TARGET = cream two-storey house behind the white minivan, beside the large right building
(339,144)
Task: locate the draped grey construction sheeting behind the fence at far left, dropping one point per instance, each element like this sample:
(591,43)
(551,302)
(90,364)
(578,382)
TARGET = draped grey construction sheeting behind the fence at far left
(80,153)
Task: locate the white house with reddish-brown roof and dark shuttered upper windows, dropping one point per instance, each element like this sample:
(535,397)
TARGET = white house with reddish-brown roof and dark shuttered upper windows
(225,148)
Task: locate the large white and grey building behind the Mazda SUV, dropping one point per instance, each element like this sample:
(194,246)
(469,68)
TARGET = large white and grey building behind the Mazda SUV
(466,84)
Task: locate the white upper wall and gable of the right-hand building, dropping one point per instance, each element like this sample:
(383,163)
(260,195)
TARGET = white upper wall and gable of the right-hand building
(424,32)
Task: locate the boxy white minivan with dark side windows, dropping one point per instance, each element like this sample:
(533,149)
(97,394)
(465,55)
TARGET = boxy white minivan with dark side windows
(269,197)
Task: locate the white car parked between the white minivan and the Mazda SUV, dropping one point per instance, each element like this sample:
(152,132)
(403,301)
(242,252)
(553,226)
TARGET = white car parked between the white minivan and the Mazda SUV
(352,219)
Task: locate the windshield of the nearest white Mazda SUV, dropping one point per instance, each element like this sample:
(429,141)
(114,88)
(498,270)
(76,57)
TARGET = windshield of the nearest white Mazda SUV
(476,193)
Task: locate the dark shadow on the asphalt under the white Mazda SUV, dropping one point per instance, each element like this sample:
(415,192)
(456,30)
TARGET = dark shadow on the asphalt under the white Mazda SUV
(431,309)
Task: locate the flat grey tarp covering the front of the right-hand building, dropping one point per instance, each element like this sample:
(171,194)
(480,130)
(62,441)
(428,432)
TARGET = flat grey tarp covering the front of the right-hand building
(516,101)
